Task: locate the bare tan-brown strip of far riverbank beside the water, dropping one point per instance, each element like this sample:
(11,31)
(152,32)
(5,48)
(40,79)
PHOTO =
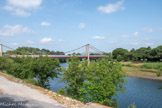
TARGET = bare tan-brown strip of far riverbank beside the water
(142,73)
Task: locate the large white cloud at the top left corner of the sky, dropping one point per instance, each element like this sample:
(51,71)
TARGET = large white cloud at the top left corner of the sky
(22,7)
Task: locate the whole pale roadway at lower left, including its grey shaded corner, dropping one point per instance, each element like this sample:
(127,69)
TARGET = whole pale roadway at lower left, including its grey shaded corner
(21,96)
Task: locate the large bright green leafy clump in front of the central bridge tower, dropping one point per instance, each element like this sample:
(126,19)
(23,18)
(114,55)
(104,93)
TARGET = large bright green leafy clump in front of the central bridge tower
(97,82)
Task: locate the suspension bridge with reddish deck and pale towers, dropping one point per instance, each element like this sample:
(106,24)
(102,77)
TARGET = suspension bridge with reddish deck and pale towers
(87,54)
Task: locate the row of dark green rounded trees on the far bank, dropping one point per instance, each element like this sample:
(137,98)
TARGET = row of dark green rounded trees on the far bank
(142,54)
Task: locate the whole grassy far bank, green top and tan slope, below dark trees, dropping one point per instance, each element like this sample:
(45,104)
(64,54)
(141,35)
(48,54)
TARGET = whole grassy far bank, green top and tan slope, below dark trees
(143,70)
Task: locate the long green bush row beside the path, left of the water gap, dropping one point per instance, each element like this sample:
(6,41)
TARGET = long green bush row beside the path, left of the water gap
(37,71)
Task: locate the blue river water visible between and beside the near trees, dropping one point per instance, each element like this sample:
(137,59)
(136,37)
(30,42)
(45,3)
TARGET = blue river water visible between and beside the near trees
(144,93)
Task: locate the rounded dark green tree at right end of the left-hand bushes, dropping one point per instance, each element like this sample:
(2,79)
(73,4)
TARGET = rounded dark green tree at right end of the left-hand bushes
(46,68)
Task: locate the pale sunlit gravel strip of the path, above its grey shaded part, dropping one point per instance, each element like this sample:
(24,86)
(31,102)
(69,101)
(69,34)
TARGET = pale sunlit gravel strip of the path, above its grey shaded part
(15,89)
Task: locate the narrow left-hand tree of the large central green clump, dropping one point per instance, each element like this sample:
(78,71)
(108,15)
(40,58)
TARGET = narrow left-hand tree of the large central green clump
(74,76)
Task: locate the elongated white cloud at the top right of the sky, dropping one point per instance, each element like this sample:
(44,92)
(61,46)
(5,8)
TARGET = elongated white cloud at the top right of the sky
(110,8)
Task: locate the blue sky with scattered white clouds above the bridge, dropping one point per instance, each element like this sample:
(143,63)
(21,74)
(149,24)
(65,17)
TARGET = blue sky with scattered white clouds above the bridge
(68,24)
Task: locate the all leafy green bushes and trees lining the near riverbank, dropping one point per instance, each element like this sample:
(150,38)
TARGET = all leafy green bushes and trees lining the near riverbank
(97,82)
